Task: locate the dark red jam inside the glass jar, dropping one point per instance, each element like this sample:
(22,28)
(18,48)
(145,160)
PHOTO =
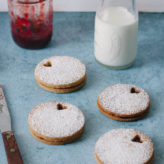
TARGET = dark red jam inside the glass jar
(32,34)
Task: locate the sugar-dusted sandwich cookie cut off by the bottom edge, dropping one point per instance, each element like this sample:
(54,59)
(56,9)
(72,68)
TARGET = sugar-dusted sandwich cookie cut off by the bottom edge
(124,146)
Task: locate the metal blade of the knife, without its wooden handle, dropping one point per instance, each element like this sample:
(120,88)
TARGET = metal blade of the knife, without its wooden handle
(5,121)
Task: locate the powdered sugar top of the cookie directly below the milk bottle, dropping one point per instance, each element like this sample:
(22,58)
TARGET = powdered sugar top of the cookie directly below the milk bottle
(119,99)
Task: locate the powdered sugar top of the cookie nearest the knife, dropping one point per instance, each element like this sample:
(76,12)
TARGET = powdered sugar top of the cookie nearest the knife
(47,120)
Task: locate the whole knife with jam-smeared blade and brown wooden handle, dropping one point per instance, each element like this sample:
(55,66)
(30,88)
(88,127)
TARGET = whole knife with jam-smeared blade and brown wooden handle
(11,147)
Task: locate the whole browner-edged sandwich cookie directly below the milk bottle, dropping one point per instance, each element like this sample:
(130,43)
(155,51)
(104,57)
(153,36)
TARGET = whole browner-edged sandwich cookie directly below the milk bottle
(124,102)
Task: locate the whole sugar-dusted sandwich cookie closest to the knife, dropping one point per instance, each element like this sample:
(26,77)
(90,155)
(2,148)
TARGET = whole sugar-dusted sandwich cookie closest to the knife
(56,123)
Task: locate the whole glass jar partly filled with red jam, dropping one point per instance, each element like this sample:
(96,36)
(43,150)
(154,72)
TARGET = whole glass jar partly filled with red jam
(31,22)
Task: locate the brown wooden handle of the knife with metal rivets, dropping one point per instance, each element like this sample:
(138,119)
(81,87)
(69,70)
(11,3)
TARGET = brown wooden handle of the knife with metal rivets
(11,147)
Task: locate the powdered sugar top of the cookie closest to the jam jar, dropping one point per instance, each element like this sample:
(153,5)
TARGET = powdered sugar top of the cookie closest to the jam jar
(63,70)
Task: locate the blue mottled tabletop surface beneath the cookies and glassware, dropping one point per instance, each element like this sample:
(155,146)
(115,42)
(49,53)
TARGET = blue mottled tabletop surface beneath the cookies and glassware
(73,36)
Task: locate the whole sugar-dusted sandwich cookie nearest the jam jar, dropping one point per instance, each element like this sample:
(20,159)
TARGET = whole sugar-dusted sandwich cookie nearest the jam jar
(60,74)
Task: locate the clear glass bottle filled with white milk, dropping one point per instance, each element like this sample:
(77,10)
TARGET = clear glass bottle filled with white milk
(116,27)
